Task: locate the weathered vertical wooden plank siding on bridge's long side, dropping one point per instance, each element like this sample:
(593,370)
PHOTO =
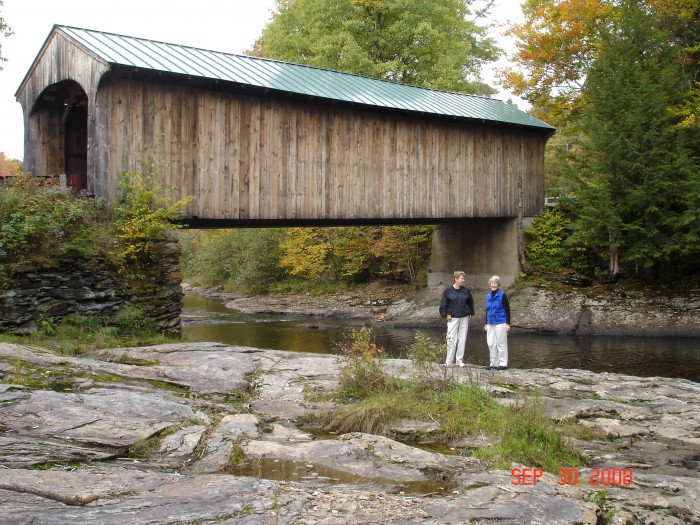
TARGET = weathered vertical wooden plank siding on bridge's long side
(251,158)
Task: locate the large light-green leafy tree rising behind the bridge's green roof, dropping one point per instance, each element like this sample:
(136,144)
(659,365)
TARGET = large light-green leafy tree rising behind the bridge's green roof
(430,43)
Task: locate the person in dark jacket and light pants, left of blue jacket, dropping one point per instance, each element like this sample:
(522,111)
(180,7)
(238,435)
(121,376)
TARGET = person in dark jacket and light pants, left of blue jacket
(457,306)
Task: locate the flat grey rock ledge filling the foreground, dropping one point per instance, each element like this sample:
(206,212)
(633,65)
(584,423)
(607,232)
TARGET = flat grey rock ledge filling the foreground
(66,438)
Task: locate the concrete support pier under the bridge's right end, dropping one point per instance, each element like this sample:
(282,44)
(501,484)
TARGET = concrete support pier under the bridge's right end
(480,249)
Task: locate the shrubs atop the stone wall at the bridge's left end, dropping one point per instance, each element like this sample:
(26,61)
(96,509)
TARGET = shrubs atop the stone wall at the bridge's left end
(40,222)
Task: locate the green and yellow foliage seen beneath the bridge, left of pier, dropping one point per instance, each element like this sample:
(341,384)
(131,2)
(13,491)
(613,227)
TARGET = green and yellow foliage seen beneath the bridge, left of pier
(258,260)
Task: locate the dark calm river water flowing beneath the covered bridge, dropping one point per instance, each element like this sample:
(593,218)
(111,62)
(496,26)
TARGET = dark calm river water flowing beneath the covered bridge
(208,319)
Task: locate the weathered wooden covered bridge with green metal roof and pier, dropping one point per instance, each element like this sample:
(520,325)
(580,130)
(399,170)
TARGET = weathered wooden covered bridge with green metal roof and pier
(260,142)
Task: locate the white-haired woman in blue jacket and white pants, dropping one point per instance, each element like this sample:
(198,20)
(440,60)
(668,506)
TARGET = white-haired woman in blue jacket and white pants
(497,325)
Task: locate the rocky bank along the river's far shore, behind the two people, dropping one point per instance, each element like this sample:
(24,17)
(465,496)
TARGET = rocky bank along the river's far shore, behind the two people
(564,310)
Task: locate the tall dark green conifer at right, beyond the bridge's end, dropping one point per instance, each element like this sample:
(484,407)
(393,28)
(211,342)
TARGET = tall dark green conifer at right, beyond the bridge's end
(638,192)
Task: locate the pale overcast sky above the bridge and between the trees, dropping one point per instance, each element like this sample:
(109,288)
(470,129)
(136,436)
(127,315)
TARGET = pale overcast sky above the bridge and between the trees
(221,25)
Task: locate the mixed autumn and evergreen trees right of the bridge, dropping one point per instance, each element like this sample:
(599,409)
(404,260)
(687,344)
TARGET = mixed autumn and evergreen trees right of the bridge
(620,79)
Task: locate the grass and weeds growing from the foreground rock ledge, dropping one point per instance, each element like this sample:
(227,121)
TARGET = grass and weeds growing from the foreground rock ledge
(377,401)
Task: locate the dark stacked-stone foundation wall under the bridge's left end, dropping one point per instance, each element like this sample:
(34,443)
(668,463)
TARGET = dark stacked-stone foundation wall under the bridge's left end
(92,287)
